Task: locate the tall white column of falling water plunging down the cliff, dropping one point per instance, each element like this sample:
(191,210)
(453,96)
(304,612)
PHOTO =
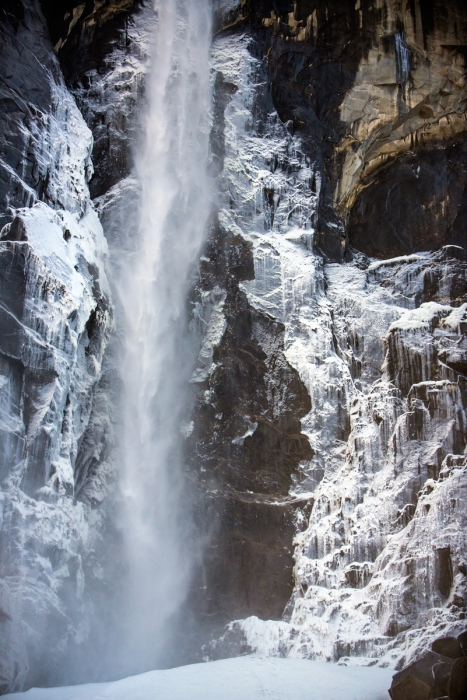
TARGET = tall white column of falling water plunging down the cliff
(172,168)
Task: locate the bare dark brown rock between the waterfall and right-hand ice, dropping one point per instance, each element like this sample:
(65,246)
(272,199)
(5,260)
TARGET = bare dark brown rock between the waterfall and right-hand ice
(244,482)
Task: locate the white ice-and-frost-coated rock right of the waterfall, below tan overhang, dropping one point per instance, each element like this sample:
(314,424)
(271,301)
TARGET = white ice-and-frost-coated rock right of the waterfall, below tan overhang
(380,345)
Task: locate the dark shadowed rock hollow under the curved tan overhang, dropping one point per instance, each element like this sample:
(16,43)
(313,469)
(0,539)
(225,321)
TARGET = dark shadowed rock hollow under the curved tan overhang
(417,202)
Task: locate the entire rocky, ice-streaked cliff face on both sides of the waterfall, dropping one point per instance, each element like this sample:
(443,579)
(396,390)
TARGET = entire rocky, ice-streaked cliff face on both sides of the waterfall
(329,312)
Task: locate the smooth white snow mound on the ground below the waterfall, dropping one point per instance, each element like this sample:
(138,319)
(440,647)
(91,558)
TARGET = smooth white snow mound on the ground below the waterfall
(244,678)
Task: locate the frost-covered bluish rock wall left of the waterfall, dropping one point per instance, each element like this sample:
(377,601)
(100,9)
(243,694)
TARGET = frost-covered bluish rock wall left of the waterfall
(55,321)
